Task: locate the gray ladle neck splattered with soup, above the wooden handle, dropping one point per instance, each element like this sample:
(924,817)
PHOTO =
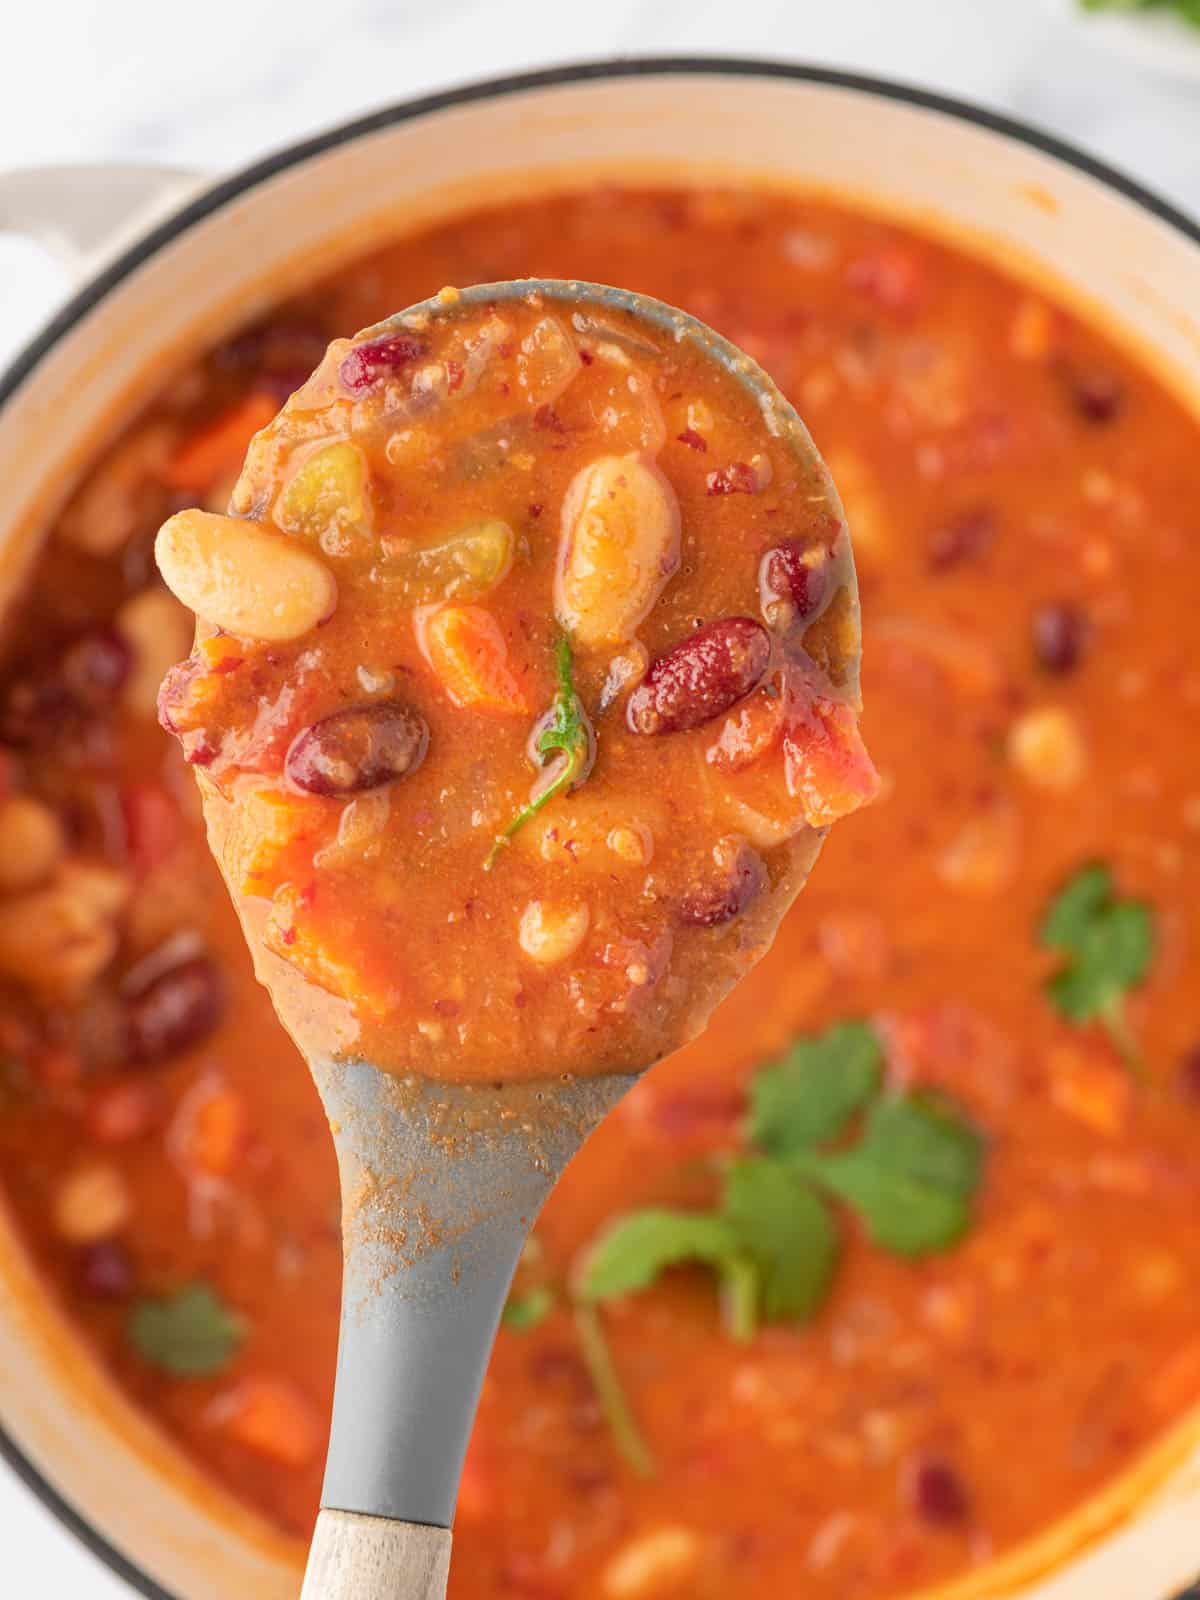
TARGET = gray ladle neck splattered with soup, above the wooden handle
(441,1186)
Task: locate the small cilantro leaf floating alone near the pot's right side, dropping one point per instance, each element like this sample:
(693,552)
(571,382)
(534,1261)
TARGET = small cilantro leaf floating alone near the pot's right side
(1108,945)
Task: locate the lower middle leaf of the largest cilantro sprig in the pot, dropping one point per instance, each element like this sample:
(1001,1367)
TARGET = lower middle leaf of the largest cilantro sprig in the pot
(786,1230)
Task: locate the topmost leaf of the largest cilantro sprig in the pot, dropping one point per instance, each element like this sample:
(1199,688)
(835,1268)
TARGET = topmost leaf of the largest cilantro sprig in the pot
(812,1094)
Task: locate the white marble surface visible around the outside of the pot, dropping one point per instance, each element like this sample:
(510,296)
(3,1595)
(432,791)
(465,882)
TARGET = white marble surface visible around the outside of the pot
(215,84)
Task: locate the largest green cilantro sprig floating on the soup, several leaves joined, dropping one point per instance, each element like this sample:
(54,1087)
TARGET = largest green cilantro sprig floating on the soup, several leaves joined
(823,1130)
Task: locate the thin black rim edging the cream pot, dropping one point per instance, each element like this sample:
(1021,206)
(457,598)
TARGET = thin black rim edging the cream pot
(249,178)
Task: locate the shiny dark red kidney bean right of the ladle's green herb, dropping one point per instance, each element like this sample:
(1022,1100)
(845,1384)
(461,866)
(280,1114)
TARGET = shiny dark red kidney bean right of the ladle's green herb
(702,678)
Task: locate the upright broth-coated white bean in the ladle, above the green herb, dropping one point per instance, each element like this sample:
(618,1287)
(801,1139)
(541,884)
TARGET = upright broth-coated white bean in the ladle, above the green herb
(620,546)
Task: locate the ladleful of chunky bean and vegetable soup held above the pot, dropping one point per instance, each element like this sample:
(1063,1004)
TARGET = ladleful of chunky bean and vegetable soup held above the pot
(393,830)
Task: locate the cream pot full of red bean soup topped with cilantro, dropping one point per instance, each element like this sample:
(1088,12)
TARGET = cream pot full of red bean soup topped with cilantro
(964,1369)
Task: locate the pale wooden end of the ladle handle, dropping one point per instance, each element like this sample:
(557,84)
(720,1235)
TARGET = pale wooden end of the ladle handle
(375,1559)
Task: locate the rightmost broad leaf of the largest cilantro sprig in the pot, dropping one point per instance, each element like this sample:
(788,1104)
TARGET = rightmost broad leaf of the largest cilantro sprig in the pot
(911,1177)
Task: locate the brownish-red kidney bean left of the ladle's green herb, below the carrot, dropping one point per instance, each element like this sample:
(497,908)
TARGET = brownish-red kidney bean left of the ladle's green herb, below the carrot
(356,750)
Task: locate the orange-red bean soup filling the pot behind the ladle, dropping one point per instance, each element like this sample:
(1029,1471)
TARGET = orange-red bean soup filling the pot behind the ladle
(943,394)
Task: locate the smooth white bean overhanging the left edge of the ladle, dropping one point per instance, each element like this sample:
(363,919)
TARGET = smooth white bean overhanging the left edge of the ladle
(242,578)
